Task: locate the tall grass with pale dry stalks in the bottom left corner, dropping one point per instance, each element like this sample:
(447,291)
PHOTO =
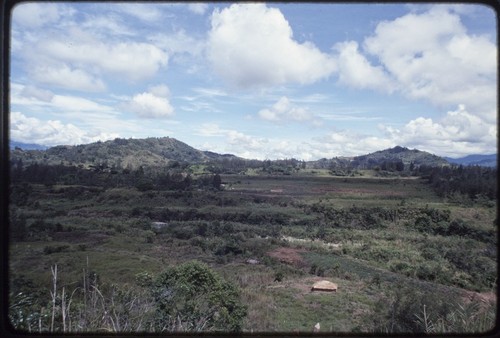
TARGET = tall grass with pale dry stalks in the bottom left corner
(88,308)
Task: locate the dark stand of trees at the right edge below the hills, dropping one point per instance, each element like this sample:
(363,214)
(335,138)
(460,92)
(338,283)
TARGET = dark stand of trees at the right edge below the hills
(472,181)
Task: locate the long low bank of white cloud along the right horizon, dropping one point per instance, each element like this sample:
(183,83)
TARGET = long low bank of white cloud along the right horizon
(459,133)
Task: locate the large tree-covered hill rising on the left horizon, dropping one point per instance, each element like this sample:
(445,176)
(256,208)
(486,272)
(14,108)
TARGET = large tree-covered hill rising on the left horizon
(120,153)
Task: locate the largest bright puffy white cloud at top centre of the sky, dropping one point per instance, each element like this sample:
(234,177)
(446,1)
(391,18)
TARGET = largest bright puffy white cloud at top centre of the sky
(251,45)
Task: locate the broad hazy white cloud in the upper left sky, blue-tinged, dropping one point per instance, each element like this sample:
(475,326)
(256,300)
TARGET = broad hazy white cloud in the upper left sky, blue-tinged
(77,59)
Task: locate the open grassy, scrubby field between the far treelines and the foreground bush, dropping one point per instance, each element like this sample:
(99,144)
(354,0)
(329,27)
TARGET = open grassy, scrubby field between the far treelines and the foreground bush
(372,236)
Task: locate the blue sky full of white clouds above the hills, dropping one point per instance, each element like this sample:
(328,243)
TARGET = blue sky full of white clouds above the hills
(257,80)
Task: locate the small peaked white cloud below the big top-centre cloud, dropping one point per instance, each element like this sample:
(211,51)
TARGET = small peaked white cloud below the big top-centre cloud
(284,110)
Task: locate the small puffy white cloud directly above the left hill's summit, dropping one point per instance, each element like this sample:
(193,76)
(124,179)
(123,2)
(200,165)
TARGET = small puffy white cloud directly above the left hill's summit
(152,104)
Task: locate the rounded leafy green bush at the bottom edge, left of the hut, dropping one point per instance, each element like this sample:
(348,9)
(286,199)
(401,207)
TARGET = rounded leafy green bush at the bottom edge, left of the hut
(192,297)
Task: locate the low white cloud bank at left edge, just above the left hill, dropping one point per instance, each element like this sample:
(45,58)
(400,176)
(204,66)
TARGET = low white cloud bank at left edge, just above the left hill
(51,132)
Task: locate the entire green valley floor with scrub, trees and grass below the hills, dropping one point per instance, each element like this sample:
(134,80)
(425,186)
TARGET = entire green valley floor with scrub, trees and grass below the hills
(109,250)
